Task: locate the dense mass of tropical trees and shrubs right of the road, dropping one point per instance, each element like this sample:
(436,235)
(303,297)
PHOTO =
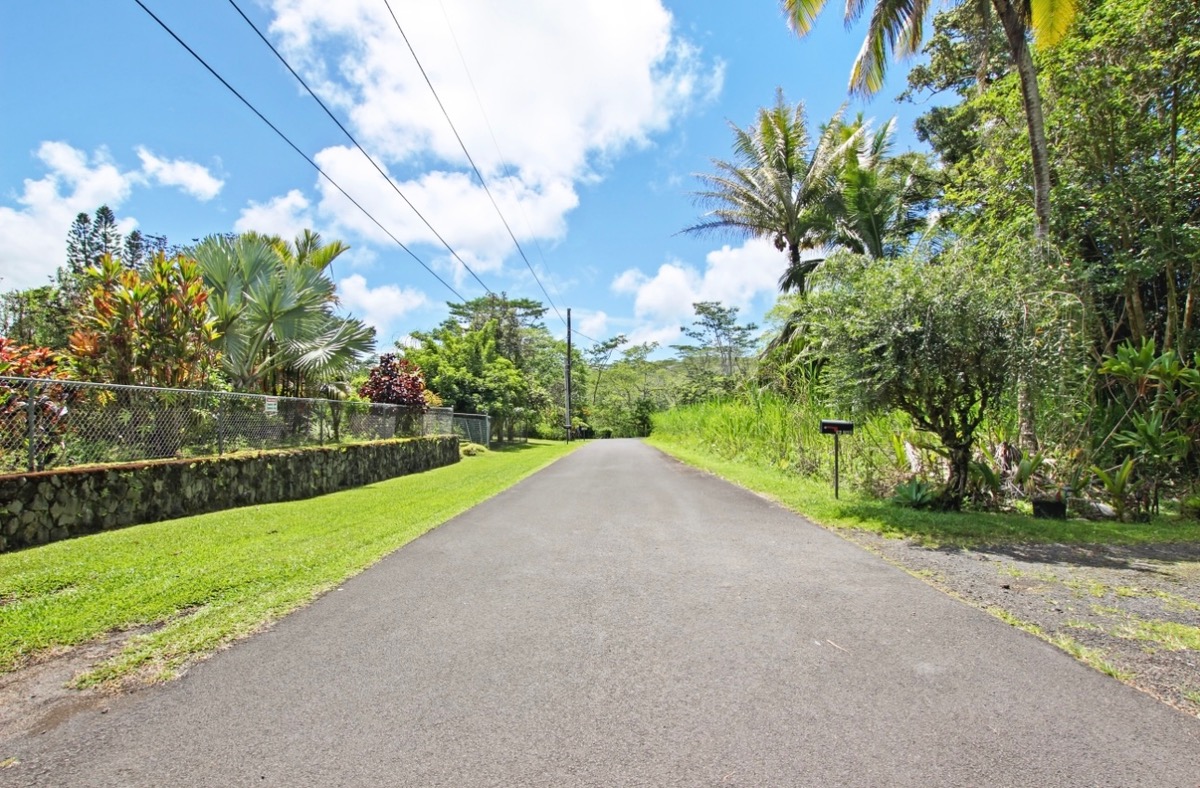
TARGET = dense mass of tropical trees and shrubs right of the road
(992,365)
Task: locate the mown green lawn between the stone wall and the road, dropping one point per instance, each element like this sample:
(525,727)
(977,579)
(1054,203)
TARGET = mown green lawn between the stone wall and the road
(201,582)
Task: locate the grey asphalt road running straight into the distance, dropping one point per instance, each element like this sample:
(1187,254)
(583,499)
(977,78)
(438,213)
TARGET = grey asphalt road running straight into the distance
(623,621)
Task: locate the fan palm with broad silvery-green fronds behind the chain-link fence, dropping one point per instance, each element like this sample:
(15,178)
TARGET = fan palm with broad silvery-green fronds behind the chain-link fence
(277,318)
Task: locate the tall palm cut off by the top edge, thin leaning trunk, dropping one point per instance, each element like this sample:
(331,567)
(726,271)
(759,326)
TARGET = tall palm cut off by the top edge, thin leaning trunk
(899,26)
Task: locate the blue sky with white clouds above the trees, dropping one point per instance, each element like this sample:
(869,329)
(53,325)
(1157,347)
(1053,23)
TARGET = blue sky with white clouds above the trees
(589,122)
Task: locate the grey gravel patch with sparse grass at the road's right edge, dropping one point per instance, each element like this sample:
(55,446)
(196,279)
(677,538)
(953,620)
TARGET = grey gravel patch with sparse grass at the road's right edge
(1131,612)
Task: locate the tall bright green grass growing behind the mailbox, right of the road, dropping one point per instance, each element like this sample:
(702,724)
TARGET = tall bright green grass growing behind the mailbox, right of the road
(765,430)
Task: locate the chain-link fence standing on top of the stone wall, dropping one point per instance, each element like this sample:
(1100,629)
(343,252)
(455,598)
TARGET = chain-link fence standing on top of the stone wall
(55,424)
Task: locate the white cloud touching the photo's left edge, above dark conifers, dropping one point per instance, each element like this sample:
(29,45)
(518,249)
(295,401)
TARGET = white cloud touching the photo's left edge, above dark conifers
(35,234)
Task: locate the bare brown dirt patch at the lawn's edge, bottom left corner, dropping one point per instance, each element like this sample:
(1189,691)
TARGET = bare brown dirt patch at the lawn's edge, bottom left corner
(39,697)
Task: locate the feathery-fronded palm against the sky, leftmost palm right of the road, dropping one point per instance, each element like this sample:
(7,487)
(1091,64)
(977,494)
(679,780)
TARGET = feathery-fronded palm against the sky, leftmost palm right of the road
(777,188)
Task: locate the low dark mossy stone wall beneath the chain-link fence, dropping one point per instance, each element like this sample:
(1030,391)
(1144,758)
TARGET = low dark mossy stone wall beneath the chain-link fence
(51,506)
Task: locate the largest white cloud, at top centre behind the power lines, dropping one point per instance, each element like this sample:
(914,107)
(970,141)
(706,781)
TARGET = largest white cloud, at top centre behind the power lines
(565,87)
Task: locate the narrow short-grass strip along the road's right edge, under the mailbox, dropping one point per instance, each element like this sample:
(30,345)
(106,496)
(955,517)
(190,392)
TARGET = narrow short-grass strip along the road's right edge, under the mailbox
(815,501)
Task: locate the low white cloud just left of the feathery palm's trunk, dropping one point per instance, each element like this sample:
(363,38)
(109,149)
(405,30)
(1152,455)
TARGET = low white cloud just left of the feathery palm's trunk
(735,276)
